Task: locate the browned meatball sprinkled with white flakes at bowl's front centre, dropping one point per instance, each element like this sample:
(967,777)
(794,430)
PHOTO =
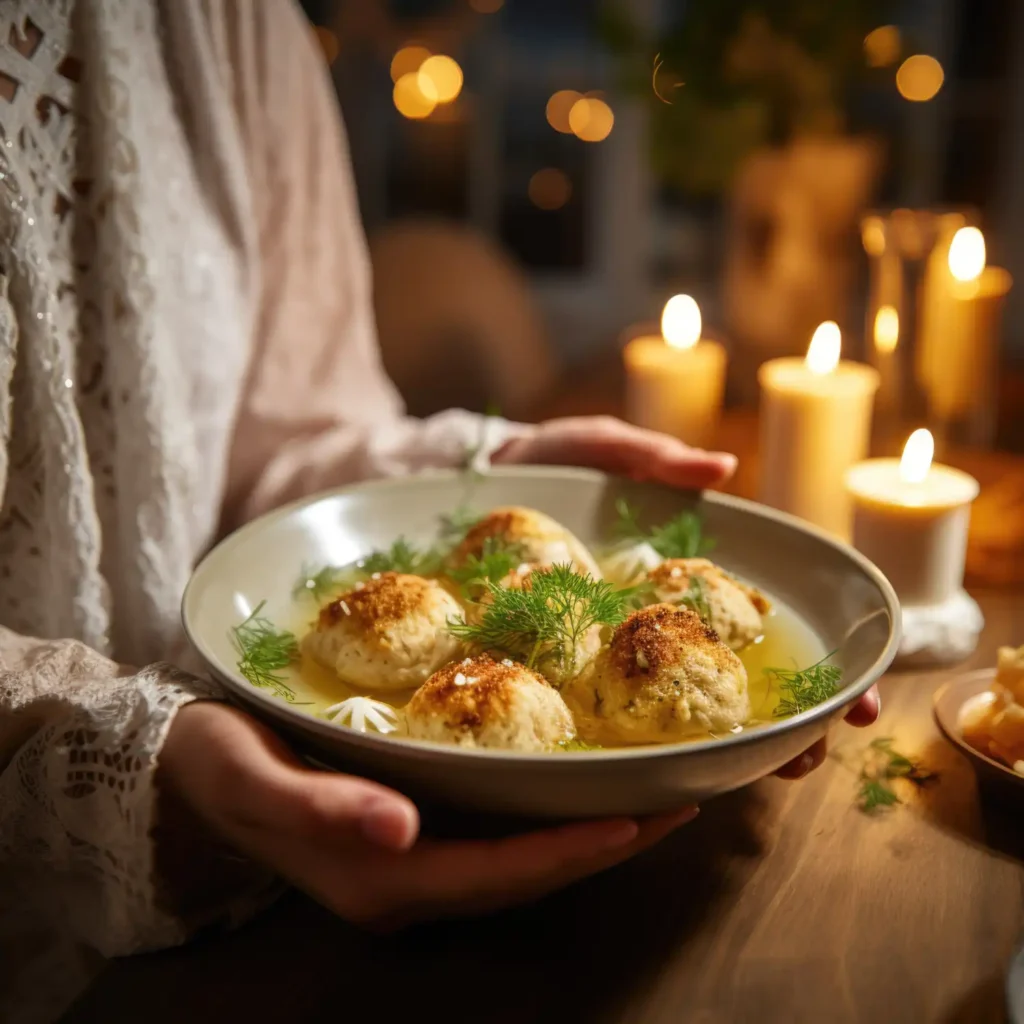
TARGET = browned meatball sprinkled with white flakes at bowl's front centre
(480,703)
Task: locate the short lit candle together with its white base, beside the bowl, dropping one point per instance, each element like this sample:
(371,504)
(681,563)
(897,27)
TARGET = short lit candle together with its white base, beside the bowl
(911,519)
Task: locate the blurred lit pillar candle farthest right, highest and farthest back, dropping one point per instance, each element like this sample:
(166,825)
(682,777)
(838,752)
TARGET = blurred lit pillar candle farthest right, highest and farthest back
(960,336)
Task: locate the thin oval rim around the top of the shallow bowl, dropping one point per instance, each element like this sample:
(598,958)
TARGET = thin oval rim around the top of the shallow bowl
(282,710)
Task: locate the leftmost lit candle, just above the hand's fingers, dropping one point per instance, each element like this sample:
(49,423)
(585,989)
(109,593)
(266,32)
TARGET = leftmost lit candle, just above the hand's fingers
(675,381)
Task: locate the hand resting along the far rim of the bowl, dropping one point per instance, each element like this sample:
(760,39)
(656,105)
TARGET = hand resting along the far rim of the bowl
(605,443)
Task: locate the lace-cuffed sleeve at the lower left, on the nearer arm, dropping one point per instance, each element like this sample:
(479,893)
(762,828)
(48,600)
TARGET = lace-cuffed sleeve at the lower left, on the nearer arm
(79,743)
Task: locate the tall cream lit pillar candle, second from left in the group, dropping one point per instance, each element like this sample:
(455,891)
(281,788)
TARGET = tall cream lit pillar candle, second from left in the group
(816,423)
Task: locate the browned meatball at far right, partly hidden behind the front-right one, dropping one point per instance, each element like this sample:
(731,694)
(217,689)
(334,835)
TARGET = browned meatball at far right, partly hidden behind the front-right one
(736,609)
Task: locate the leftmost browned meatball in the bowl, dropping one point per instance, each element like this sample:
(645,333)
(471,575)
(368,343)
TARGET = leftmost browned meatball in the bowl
(388,634)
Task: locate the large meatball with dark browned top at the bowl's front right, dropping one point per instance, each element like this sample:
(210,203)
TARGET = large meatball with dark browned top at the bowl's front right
(665,677)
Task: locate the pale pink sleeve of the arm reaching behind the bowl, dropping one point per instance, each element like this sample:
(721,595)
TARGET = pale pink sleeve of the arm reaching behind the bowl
(319,409)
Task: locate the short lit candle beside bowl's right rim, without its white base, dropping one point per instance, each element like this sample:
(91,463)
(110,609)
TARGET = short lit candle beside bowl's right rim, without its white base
(911,519)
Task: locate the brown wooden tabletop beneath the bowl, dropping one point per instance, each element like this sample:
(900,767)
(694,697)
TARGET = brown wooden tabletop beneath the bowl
(782,903)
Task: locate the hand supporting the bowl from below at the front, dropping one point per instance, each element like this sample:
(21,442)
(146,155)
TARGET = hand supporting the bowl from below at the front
(354,845)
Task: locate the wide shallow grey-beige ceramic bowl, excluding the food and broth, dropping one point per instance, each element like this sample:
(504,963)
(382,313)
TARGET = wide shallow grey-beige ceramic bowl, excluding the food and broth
(843,598)
